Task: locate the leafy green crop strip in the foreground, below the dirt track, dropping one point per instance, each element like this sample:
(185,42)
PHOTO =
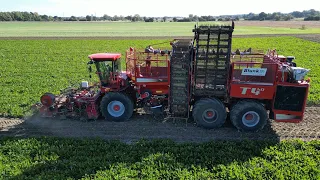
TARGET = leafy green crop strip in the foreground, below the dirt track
(57,158)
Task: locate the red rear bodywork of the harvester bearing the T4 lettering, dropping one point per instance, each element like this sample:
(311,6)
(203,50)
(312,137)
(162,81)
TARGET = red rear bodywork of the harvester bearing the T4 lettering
(263,87)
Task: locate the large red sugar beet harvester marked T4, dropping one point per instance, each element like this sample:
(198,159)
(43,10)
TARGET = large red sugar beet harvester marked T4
(199,78)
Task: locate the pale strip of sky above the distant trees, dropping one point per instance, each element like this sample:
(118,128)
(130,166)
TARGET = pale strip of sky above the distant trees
(156,8)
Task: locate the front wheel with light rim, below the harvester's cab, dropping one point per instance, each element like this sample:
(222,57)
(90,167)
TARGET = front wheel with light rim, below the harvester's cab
(112,99)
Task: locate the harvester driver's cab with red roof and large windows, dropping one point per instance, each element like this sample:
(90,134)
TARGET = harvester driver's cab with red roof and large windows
(108,65)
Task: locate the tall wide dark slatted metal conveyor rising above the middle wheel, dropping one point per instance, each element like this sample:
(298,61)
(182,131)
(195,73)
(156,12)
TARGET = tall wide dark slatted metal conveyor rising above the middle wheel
(213,49)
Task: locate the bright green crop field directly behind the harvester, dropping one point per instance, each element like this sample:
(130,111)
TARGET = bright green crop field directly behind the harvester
(30,68)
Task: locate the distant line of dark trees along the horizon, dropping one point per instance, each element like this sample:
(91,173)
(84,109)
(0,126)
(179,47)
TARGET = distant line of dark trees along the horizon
(308,15)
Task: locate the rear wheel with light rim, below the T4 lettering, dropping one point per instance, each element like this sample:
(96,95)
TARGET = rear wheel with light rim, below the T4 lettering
(256,110)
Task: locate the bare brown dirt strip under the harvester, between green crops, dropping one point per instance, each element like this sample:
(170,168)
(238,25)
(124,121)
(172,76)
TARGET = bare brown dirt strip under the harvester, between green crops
(146,127)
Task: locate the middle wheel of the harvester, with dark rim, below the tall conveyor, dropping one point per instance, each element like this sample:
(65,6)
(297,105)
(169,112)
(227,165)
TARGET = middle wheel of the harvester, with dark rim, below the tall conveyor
(207,105)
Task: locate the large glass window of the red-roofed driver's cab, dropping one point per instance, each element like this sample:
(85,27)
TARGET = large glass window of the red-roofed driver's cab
(104,70)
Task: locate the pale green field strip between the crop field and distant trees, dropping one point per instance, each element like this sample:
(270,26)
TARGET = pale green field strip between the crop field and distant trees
(124,29)
